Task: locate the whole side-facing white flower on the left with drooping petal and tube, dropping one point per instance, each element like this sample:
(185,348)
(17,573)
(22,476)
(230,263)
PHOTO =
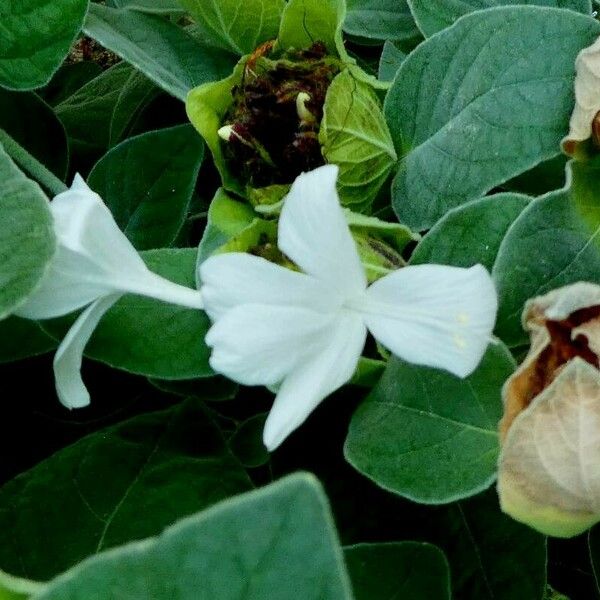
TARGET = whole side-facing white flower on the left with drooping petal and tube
(95,264)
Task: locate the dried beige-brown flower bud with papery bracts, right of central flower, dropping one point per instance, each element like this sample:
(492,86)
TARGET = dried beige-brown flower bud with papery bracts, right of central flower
(549,467)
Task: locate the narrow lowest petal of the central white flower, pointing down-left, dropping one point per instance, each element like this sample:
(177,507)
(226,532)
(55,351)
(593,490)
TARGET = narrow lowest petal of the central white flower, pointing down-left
(320,375)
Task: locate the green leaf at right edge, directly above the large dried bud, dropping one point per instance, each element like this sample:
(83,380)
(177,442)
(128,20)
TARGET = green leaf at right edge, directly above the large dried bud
(548,246)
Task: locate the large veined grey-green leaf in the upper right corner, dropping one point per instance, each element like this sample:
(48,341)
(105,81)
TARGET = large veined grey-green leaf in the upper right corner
(480,103)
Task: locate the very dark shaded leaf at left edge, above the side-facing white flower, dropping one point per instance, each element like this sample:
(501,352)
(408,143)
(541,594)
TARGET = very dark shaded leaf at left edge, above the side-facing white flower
(33,125)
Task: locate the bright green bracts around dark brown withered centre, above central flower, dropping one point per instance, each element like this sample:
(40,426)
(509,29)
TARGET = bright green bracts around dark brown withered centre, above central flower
(292,105)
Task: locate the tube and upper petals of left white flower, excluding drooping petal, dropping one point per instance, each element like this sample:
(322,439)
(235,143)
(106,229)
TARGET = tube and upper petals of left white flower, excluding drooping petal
(94,259)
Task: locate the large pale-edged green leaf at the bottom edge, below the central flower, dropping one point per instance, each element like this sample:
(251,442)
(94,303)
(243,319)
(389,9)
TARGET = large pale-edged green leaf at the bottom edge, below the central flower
(278,543)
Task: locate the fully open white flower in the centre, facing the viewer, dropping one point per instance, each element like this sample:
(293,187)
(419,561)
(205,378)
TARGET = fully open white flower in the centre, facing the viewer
(304,332)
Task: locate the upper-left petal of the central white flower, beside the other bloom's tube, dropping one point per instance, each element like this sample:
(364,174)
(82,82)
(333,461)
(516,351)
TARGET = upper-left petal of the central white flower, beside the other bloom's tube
(231,279)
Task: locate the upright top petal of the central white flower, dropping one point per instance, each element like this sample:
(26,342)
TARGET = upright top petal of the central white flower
(313,232)
